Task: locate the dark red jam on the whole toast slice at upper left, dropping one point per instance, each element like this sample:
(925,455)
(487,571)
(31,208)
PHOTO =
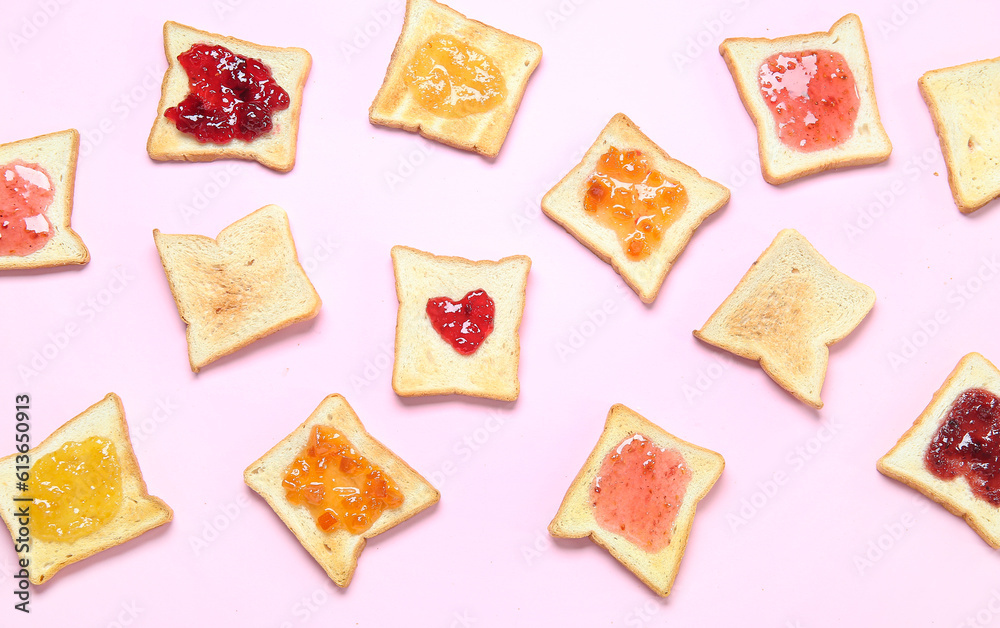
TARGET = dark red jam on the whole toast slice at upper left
(231,97)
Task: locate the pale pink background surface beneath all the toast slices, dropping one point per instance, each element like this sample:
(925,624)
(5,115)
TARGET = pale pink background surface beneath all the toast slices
(801,527)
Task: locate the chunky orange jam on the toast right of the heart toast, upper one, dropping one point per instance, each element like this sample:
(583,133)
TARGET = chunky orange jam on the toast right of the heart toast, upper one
(638,202)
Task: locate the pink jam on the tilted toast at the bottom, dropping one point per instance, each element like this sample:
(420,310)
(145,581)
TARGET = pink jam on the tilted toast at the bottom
(639,490)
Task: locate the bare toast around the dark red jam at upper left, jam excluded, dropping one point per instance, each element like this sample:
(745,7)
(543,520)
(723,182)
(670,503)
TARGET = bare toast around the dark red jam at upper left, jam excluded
(275,149)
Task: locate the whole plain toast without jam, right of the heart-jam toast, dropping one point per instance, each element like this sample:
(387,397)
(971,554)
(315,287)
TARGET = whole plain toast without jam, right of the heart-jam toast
(789,307)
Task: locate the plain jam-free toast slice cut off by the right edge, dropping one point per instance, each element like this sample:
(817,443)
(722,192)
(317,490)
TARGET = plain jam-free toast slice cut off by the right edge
(965,101)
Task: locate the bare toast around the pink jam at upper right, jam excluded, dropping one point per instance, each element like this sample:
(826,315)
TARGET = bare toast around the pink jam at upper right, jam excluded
(779,163)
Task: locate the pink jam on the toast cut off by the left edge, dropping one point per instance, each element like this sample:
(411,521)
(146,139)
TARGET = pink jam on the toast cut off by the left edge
(25,193)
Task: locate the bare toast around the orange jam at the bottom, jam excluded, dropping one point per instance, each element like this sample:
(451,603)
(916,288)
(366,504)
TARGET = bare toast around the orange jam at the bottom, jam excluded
(337,552)
